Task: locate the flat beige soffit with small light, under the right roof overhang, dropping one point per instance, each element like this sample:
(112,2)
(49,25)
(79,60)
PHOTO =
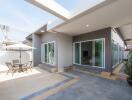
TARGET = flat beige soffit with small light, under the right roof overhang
(114,14)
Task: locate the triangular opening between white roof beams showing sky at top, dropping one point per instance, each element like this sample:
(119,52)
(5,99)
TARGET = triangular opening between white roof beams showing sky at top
(78,6)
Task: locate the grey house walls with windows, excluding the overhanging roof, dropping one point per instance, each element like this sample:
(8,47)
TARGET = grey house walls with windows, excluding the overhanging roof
(99,50)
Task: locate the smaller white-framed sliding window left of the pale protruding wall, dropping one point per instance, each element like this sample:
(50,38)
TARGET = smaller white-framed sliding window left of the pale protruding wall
(48,53)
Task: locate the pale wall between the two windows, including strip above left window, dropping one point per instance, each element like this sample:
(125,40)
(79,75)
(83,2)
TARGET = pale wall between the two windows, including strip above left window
(63,48)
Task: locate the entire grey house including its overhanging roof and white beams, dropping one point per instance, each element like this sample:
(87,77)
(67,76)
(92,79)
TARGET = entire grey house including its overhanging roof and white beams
(92,37)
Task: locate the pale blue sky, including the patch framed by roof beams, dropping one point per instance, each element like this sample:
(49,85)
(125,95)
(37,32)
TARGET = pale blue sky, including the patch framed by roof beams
(24,18)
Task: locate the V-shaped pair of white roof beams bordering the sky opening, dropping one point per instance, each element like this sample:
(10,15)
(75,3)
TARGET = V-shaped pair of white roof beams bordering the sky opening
(56,9)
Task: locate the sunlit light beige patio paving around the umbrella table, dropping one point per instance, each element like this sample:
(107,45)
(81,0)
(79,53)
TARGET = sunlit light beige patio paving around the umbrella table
(23,85)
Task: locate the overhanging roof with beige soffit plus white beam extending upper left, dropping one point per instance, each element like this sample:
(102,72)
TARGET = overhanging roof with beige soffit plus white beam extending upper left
(108,13)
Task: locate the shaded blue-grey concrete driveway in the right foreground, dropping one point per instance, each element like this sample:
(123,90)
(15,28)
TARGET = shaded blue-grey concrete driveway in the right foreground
(95,88)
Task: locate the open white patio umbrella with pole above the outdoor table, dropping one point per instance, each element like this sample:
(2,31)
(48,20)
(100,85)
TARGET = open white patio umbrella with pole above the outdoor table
(20,47)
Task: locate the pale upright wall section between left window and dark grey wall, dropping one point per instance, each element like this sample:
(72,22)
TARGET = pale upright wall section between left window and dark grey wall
(64,51)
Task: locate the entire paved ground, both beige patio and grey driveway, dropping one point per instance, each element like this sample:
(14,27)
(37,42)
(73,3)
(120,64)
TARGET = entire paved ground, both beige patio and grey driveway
(41,85)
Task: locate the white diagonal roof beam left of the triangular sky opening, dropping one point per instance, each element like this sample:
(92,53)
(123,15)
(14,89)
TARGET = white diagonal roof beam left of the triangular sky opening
(52,7)
